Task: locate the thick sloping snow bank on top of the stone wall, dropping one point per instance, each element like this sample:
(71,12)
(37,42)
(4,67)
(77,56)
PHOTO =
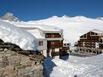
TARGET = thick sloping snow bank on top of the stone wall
(10,33)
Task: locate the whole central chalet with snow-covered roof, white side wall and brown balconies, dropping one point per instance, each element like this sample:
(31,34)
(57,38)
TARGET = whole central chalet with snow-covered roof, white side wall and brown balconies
(50,40)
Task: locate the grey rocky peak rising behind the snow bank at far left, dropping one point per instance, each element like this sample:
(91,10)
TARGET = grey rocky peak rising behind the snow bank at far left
(9,16)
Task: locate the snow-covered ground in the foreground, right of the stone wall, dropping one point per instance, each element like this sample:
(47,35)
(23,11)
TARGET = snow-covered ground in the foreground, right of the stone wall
(75,67)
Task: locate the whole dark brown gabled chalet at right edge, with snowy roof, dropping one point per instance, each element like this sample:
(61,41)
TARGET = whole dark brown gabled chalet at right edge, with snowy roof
(91,42)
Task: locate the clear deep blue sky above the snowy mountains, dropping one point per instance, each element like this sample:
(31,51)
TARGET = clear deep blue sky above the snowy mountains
(40,9)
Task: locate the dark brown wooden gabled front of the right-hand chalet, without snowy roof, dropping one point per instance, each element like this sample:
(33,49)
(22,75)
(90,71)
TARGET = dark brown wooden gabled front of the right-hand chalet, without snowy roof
(88,40)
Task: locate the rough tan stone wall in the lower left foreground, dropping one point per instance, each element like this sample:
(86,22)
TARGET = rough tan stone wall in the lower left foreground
(13,64)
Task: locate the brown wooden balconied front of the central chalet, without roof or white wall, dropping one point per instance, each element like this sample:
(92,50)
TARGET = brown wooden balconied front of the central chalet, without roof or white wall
(54,43)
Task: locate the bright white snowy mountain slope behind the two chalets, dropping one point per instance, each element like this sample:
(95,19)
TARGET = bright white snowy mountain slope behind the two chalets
(73,26)
